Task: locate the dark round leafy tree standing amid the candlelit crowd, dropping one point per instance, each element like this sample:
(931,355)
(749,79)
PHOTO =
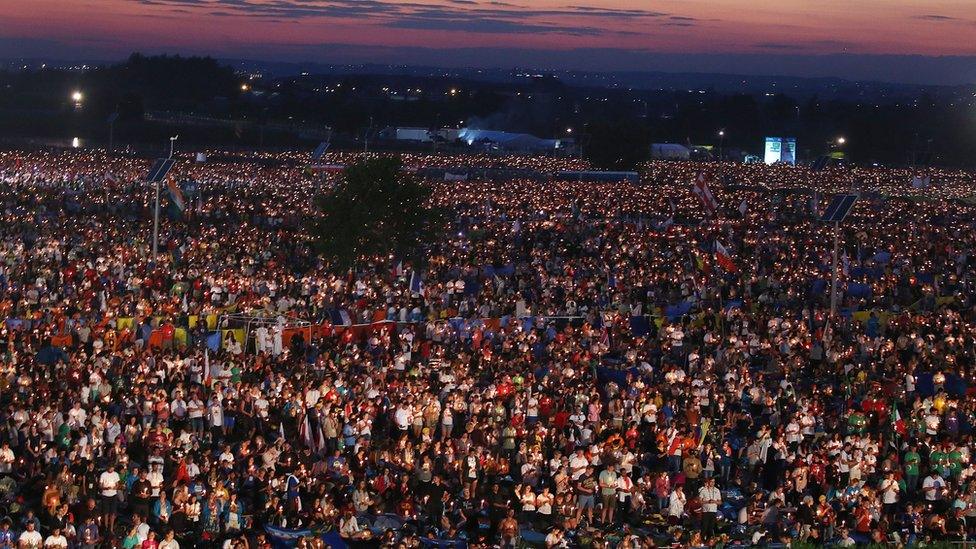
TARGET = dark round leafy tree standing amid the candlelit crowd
(374,209)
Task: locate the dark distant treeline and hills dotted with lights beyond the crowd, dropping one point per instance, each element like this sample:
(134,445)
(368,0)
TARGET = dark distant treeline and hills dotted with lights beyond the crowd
(615,126)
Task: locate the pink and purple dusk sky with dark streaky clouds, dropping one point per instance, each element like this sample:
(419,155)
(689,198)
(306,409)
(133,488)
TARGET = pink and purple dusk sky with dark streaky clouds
(917,41)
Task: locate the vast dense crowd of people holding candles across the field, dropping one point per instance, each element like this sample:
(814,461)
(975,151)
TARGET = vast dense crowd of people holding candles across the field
(571,364)
